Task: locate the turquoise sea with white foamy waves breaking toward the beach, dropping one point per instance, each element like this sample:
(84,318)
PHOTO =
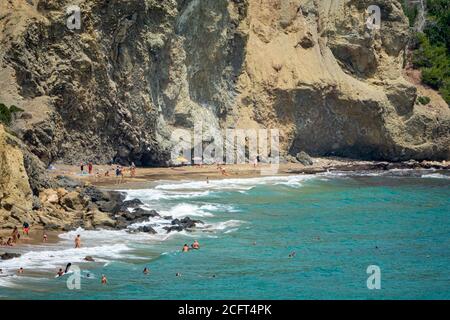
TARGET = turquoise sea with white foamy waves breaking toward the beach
(336,223)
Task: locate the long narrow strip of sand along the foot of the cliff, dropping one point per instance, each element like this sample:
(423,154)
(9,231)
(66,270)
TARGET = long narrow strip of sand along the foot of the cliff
(144,176)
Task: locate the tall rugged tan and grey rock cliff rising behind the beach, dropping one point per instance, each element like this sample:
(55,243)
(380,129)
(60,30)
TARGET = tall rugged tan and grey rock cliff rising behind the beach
(138,69)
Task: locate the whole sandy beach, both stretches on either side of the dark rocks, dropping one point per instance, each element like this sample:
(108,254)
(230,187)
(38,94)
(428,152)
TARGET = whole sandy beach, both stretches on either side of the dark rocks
(146,177)
